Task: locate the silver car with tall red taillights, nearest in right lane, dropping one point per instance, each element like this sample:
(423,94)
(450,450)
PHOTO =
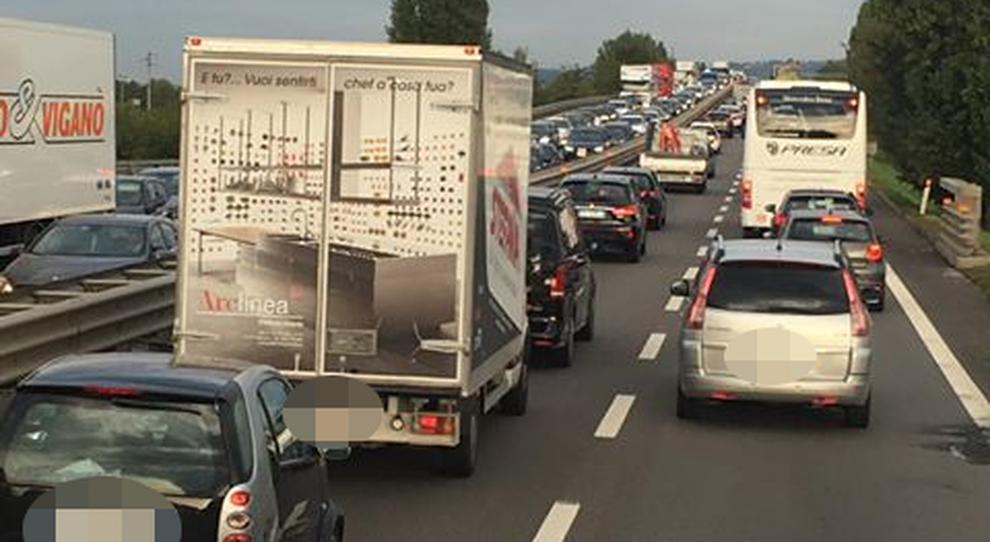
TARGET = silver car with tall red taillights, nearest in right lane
(775,321)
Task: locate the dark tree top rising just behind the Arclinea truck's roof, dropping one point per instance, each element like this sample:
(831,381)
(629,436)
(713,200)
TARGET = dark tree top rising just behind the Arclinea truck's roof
(440,22)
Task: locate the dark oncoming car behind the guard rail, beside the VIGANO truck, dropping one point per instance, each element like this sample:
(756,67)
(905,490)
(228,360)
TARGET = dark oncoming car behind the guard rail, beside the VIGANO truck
(82,245)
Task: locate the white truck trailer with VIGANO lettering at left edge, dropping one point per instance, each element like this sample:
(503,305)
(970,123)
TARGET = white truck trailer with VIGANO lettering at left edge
(57,140)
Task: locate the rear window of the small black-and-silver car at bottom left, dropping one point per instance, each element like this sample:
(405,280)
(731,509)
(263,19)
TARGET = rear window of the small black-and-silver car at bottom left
(175,449)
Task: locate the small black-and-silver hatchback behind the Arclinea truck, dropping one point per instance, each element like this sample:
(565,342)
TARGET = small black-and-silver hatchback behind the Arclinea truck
(213,441)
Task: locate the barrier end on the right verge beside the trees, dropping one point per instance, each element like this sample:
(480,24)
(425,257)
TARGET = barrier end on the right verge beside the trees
(960,223)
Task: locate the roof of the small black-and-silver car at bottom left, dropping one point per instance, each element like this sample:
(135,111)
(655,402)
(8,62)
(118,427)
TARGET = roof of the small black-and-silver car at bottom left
(143,372)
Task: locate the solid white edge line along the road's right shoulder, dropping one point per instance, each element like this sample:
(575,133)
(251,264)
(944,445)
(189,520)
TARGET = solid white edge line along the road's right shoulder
(969,393)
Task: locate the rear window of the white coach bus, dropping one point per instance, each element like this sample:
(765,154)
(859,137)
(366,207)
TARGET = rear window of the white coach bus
(807,114)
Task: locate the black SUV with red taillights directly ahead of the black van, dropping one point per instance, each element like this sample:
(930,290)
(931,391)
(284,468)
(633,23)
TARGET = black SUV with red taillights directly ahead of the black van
(611,214)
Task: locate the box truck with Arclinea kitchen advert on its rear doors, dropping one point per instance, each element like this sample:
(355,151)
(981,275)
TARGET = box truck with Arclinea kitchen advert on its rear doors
(360,210)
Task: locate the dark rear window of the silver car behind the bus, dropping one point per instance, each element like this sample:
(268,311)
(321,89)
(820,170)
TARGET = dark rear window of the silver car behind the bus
(774,287)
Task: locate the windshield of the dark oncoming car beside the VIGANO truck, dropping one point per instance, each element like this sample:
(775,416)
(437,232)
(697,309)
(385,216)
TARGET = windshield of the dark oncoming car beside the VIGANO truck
(100,240)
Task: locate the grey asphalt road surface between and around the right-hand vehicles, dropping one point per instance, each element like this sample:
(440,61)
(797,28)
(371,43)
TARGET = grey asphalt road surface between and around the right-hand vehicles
(738,474)
